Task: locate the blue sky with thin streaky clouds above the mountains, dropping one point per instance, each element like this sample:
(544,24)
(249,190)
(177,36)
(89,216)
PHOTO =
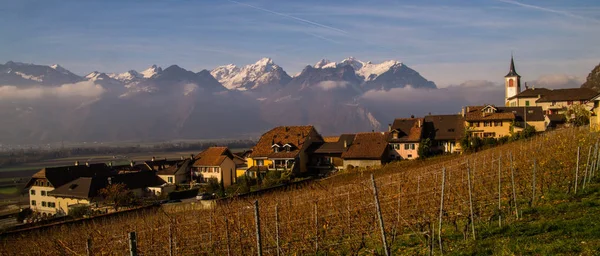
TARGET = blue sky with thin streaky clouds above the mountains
(448,42)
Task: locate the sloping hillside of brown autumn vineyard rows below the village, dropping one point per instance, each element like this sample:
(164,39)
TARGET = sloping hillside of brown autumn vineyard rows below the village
(525,197)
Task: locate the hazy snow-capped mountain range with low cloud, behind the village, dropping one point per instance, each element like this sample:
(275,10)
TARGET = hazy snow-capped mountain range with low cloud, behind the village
(43,104)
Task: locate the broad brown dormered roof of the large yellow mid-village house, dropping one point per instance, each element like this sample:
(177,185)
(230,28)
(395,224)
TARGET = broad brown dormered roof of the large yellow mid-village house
(296,136)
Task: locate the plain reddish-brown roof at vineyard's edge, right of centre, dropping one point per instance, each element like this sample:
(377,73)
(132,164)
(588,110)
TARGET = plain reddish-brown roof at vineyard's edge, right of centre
(372,145)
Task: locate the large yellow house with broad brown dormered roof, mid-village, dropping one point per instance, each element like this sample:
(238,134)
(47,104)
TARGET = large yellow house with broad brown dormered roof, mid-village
(284,148)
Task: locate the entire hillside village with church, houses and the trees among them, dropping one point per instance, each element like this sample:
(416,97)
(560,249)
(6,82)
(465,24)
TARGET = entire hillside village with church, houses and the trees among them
(285,153)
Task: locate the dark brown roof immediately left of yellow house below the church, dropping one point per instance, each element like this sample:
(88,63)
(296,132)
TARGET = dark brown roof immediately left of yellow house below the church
(444,127)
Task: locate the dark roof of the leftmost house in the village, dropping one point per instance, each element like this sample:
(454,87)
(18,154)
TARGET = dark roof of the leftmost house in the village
(58,176)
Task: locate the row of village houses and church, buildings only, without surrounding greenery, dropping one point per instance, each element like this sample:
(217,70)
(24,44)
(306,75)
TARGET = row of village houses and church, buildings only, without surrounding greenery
(300,149)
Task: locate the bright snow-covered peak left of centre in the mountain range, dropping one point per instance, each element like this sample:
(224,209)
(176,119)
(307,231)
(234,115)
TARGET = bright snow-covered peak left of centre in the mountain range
(264,74)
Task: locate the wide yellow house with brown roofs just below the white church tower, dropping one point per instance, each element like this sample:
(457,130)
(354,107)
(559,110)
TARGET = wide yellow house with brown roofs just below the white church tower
(495,122)
